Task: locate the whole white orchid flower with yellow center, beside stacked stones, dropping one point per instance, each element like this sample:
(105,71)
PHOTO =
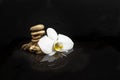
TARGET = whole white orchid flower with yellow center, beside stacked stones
(53,42)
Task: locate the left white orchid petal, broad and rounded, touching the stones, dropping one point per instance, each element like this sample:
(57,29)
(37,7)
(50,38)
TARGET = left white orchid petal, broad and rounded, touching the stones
(46,45)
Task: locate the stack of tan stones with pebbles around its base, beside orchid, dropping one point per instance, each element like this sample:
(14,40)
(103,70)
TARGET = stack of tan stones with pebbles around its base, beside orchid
(36,33)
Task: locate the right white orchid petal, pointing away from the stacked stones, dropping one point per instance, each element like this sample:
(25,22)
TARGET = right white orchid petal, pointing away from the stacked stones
(66,41)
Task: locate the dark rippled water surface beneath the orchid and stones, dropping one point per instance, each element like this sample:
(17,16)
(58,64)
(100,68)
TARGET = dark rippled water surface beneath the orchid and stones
(88,60)
